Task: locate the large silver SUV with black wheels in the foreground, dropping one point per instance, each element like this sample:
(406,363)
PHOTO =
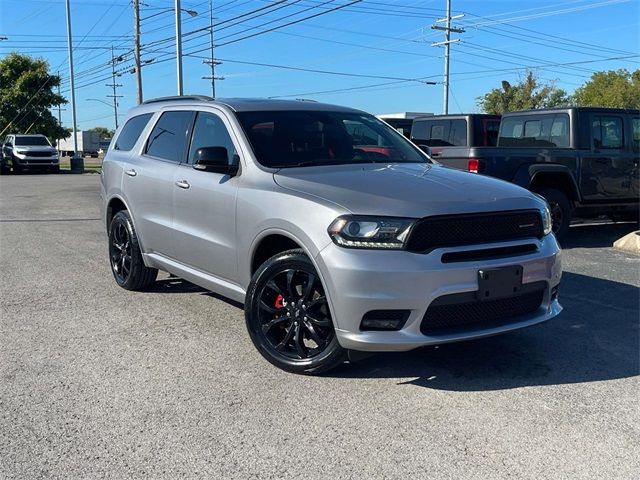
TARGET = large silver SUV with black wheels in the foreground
(335,231)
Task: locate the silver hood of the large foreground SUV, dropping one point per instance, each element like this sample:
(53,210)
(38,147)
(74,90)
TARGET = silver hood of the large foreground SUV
(406,190)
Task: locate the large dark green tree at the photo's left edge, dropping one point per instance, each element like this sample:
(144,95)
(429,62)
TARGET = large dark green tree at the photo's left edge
(26,95)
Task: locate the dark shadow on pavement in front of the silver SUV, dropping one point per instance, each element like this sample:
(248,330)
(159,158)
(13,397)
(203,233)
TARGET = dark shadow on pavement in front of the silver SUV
(594,339)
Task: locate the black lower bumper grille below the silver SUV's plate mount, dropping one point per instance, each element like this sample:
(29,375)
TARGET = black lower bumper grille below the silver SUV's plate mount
(445,315)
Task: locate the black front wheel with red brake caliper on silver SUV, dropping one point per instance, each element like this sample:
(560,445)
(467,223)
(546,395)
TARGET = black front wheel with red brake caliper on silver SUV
(288,317)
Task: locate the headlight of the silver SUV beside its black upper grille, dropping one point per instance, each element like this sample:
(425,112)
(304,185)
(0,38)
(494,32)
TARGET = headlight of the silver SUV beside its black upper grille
(370,232)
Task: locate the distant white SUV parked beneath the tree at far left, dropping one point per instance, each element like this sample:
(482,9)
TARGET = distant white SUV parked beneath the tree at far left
(32,152)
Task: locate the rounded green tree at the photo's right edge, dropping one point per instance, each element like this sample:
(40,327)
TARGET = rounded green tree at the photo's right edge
(614,88)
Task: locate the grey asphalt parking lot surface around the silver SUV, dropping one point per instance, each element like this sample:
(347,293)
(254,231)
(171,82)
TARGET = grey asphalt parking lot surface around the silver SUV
(96,381)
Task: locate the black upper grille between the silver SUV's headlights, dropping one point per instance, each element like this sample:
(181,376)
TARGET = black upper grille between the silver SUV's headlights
(469,229)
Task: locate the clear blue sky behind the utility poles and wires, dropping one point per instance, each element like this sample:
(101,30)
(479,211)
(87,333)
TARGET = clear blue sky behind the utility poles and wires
(386,42)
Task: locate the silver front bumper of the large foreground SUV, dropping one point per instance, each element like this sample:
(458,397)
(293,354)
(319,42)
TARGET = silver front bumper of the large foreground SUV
(359,281)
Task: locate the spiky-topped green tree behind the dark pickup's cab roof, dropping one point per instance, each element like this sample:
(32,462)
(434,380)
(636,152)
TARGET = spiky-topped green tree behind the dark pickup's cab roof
(527,94)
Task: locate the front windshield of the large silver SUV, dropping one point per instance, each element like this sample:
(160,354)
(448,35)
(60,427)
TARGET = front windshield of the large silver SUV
(305,138)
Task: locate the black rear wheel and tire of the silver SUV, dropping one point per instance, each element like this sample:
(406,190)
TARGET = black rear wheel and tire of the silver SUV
(125,256)
